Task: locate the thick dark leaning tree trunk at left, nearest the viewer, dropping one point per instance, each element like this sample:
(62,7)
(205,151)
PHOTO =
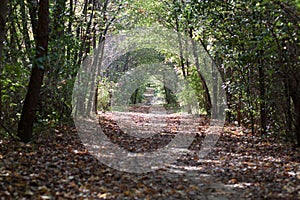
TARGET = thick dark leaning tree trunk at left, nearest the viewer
(25,126)
